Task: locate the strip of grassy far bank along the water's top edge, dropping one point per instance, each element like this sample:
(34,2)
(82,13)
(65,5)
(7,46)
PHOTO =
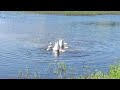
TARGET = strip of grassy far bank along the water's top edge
(75,12)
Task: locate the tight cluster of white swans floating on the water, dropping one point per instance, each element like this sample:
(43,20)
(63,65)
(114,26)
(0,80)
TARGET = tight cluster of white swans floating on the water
(59,46)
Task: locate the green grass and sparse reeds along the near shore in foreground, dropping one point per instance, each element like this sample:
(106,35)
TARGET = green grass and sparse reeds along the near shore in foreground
(61,72)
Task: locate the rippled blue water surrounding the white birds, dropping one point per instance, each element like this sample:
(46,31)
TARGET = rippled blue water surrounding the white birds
(93,41)
